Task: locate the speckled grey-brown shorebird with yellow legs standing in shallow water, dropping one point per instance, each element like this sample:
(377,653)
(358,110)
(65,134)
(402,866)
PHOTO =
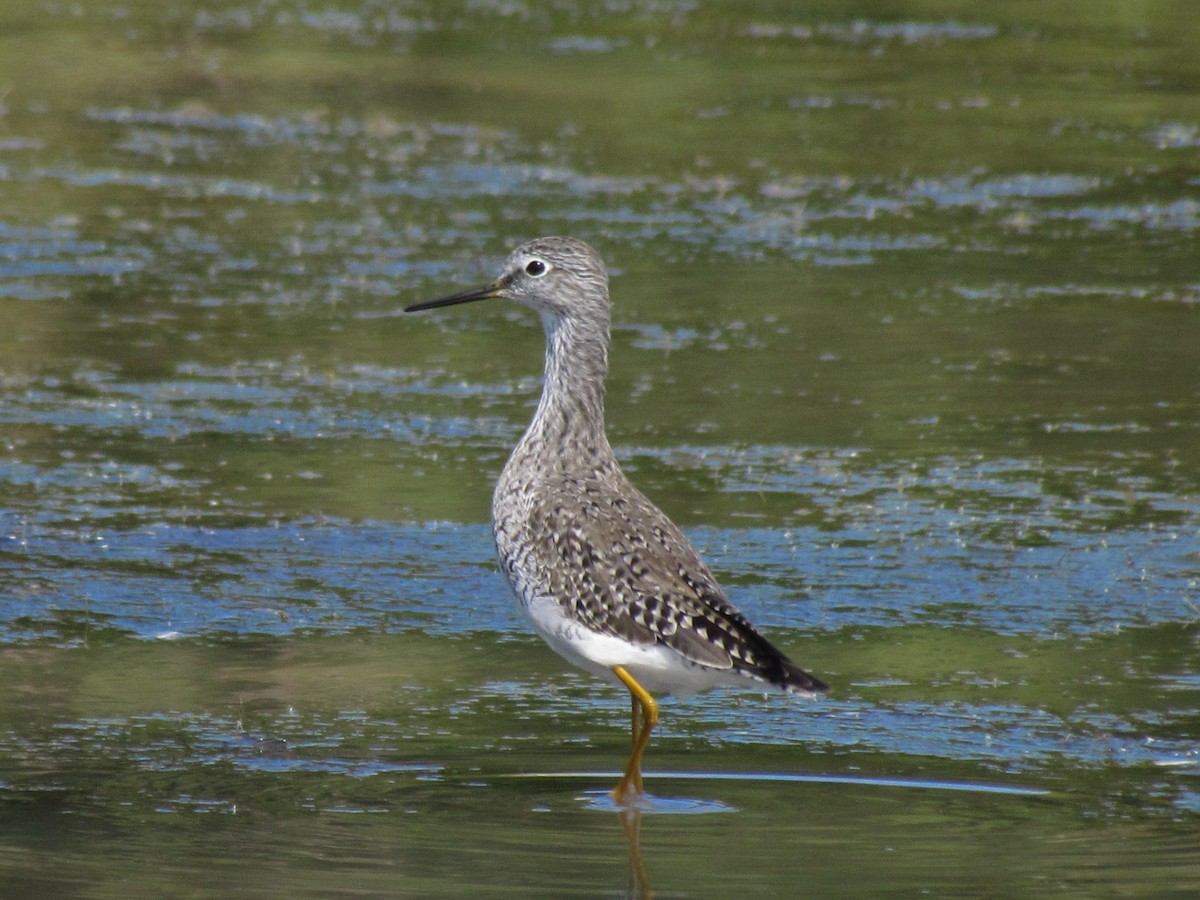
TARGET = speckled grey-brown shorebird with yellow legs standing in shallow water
(605,578)
